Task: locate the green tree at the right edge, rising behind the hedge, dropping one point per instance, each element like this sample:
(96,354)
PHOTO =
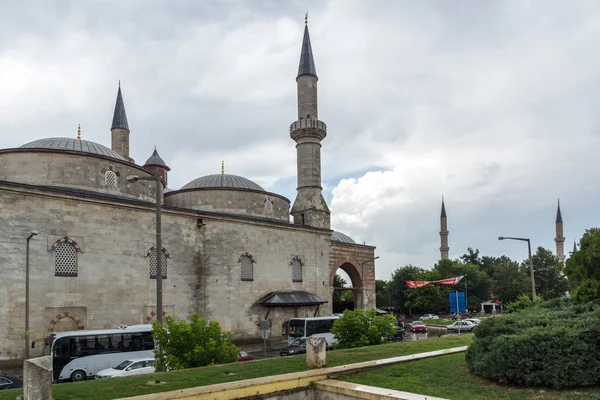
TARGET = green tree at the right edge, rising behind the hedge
(583,267)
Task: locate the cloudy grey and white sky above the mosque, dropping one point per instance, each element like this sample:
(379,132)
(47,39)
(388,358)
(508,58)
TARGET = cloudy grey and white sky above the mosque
(492,104)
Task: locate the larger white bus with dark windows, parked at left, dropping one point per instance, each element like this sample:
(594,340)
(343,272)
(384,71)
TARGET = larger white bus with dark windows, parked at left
(78,355)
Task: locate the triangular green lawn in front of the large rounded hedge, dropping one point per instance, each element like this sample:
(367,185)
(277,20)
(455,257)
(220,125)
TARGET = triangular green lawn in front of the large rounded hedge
(448,377)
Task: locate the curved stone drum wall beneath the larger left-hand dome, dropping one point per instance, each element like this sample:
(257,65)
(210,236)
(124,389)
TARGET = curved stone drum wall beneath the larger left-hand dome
(78,171)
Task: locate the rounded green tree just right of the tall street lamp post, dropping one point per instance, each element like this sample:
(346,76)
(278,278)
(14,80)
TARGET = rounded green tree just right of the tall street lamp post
(550,283)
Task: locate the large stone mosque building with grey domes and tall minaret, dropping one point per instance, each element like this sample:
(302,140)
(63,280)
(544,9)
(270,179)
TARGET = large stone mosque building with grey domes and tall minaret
(230,251)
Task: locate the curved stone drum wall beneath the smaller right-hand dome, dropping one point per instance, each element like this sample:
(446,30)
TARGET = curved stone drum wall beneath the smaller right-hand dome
(240,202)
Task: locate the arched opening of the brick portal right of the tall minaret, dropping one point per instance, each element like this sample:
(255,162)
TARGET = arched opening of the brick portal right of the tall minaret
(346,283)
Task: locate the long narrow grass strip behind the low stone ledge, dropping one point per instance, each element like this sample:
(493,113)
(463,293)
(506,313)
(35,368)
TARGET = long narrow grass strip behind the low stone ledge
(135,386)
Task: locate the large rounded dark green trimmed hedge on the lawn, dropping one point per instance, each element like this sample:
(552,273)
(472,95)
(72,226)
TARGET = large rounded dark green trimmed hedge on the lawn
(555,344)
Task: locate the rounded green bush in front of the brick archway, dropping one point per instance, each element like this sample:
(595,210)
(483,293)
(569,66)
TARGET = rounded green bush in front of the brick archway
(359,328)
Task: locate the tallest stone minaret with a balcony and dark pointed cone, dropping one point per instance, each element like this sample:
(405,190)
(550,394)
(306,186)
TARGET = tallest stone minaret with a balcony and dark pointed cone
(309,207)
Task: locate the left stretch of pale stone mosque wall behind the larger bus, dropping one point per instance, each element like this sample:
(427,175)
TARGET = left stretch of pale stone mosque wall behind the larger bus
(112,286)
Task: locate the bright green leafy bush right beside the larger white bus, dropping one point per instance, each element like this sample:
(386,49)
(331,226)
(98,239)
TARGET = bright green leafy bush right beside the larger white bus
(183,344)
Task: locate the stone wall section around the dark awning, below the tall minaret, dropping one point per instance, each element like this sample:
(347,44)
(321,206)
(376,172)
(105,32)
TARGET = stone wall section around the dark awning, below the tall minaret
(232,301)
